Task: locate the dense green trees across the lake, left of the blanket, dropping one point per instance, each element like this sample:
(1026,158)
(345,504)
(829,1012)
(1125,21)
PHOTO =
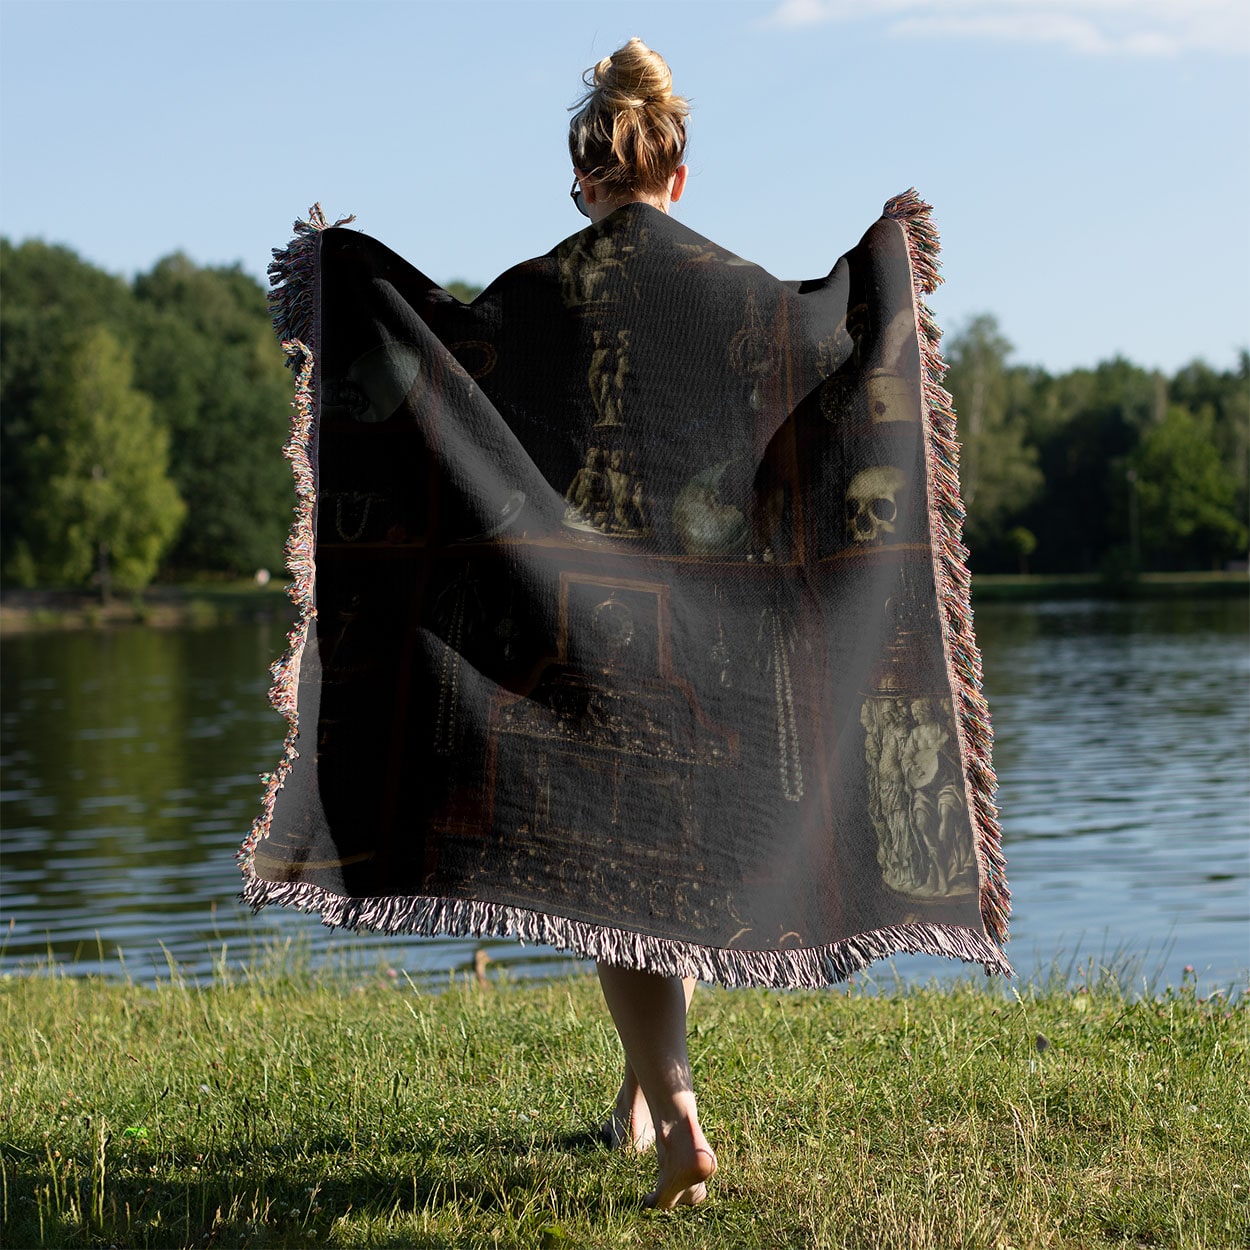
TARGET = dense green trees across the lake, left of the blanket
(141,423)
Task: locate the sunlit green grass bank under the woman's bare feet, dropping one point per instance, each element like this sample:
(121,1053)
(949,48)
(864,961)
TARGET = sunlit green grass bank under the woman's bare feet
(282,1111)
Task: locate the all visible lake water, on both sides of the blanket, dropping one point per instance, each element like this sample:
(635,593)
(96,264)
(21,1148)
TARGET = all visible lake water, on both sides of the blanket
(1123,747)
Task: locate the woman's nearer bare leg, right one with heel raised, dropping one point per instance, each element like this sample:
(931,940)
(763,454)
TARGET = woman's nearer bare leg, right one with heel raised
(651,1016)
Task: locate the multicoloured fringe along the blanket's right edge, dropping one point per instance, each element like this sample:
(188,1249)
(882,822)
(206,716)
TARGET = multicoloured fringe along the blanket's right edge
(951,567)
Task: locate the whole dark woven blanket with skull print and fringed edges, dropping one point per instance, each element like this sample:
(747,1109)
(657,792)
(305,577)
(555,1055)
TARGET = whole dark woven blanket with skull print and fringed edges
(634,618)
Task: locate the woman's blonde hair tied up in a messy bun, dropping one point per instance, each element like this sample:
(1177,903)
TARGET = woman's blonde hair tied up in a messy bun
(629,131)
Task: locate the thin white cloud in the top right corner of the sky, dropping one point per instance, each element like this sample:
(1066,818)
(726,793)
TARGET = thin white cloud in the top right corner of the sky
(1097,28)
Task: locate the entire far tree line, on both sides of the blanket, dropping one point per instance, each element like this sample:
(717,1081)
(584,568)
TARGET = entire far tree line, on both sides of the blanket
(141,426)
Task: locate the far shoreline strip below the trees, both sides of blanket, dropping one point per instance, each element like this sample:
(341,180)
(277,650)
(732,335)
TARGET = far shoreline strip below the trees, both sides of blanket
(207,604)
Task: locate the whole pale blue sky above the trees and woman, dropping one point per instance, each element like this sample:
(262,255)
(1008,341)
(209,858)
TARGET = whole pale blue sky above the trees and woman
(1088,159)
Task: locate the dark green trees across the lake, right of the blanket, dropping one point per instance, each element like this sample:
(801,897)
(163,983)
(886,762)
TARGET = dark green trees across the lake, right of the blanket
(1116,469)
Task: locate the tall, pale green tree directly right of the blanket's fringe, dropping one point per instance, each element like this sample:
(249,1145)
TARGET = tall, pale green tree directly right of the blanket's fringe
(999,472)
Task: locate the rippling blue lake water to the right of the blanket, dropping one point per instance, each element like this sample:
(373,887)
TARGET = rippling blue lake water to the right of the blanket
(1123,743)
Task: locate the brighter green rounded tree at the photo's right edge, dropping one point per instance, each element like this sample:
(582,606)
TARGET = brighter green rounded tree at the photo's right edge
(1187,493)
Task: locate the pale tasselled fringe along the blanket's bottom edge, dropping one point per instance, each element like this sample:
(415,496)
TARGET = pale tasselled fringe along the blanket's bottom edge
(812,968)
